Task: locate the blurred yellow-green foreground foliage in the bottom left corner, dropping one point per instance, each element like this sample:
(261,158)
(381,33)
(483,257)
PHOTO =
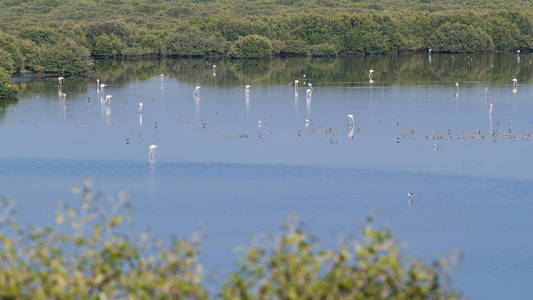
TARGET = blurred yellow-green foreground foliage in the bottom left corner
(87,257)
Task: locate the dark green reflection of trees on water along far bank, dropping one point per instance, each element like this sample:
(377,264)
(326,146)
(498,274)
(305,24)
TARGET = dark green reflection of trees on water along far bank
(390,70)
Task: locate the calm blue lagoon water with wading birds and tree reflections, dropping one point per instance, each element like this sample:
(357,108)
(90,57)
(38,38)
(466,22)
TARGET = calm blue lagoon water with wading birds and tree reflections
(231,166)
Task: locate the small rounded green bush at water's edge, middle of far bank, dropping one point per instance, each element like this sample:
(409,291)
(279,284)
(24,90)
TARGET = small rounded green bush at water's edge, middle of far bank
(251,46)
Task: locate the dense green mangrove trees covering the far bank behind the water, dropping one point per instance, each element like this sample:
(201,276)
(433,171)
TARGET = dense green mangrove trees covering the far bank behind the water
(76,31)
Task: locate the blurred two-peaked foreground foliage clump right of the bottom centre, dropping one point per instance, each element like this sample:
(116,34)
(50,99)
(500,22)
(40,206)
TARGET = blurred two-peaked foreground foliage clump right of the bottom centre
(291,267)
